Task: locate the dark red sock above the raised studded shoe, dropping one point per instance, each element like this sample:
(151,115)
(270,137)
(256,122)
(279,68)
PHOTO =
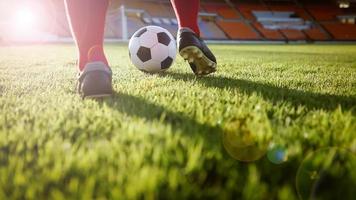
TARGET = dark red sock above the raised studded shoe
(187,13)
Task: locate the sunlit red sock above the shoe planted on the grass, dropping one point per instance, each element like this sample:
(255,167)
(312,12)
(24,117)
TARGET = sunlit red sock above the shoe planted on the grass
(87,20)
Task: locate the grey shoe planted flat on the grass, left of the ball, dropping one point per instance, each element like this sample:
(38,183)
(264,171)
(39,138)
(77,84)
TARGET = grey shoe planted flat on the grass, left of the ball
(95,80)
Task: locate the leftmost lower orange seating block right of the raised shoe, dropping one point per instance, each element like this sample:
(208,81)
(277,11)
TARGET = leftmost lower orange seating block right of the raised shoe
(238,30)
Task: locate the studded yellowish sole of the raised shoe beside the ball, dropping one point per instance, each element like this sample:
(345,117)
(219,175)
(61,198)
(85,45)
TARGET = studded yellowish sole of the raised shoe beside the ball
(194,55)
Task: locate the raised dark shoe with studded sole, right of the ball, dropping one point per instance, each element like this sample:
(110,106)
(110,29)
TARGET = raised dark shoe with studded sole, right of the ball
(193,49)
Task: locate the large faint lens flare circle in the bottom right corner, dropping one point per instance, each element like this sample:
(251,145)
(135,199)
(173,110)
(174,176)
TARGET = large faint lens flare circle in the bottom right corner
(327,174)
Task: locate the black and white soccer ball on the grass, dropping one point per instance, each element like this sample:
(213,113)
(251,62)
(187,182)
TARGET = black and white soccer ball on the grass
(152,49)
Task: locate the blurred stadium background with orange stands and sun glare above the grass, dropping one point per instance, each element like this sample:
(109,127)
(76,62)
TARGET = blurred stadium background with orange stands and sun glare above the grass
(220,20)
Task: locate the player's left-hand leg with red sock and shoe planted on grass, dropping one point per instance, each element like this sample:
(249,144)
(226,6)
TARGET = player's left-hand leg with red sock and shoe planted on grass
(87,21)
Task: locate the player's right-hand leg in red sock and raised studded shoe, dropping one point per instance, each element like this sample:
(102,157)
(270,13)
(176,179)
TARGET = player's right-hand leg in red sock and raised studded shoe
(191,46)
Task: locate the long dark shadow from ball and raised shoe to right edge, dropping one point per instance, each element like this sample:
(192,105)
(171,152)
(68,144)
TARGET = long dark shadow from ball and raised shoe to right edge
(273,93)
